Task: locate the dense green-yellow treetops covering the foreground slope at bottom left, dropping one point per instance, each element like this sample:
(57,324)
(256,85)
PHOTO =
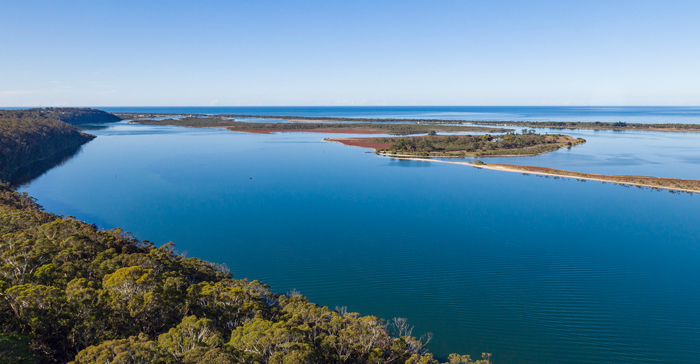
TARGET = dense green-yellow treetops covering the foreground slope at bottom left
(71,292)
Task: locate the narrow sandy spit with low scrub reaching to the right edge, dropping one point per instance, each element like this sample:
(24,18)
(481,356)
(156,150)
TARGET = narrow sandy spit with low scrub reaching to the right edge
(673,184)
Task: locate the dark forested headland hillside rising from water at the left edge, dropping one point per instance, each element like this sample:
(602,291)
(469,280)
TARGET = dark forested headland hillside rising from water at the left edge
(28,136)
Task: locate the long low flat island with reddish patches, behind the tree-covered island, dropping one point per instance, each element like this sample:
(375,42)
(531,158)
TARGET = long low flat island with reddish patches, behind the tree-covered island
(320,127)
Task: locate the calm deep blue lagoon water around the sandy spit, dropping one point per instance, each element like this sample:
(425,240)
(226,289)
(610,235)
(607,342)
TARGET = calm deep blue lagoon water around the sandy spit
(531,269)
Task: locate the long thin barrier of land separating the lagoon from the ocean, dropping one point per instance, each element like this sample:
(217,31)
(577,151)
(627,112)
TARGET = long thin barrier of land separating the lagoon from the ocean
(589,125)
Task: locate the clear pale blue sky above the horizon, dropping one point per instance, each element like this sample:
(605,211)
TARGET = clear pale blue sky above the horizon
(191,53)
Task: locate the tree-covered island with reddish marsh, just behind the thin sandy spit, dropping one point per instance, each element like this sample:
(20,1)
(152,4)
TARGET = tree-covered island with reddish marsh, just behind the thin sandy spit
(510,144)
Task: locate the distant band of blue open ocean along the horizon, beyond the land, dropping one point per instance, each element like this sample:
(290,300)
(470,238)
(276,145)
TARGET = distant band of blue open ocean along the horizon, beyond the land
(640,114)
